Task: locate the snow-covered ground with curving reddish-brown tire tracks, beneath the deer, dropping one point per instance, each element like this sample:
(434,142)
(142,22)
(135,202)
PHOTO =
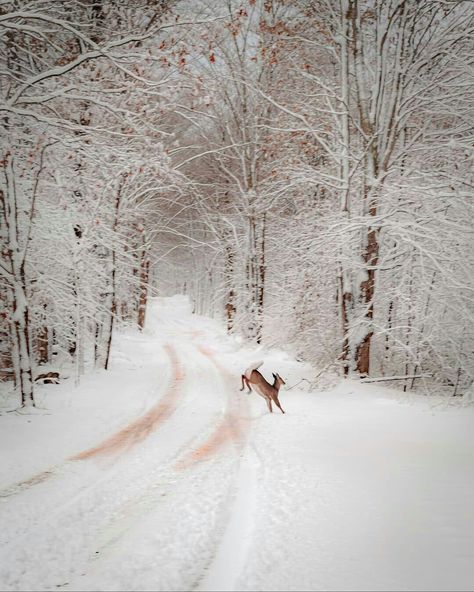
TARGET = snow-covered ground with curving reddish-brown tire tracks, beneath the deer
(161,475)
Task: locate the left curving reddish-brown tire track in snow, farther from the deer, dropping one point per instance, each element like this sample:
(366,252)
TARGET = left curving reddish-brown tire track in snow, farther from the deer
(135,432)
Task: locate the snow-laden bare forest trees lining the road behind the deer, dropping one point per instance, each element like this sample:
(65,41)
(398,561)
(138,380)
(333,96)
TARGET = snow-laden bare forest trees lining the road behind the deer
(302,170)
